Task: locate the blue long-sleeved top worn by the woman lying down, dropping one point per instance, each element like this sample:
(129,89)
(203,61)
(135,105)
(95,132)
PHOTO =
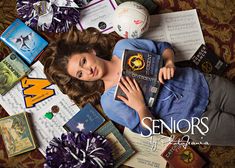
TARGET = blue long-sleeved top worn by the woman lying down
(183,97)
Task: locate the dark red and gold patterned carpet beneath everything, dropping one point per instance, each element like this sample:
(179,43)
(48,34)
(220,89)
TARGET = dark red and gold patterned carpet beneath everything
(217,20)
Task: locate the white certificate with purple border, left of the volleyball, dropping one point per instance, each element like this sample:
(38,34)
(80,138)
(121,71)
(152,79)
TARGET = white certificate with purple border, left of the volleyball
(98,14)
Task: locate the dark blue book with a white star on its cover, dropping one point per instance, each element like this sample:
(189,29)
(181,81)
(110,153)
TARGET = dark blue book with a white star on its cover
(86,120)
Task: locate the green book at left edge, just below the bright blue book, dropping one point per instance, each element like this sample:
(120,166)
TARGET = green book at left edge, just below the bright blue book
(12,69)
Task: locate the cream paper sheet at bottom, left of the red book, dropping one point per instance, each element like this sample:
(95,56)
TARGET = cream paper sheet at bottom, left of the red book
(148,150)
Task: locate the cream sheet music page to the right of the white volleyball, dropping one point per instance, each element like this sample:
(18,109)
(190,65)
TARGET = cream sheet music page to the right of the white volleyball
(181,29)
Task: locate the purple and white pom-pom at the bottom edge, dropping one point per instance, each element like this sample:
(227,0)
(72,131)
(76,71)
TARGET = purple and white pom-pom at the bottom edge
(79,150)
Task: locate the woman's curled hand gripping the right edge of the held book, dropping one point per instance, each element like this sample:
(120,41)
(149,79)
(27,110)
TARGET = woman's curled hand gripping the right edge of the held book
(167,72)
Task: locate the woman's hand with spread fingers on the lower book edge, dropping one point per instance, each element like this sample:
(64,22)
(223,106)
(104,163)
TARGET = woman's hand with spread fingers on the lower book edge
(133,92)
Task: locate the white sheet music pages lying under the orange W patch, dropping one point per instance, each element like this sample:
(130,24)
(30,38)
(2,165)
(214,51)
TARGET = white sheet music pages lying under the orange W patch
(45,129)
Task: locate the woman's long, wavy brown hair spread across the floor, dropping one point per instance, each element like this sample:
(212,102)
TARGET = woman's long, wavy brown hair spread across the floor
(59,52)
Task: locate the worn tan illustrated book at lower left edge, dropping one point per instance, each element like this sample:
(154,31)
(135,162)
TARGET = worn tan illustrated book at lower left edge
(17,134)
